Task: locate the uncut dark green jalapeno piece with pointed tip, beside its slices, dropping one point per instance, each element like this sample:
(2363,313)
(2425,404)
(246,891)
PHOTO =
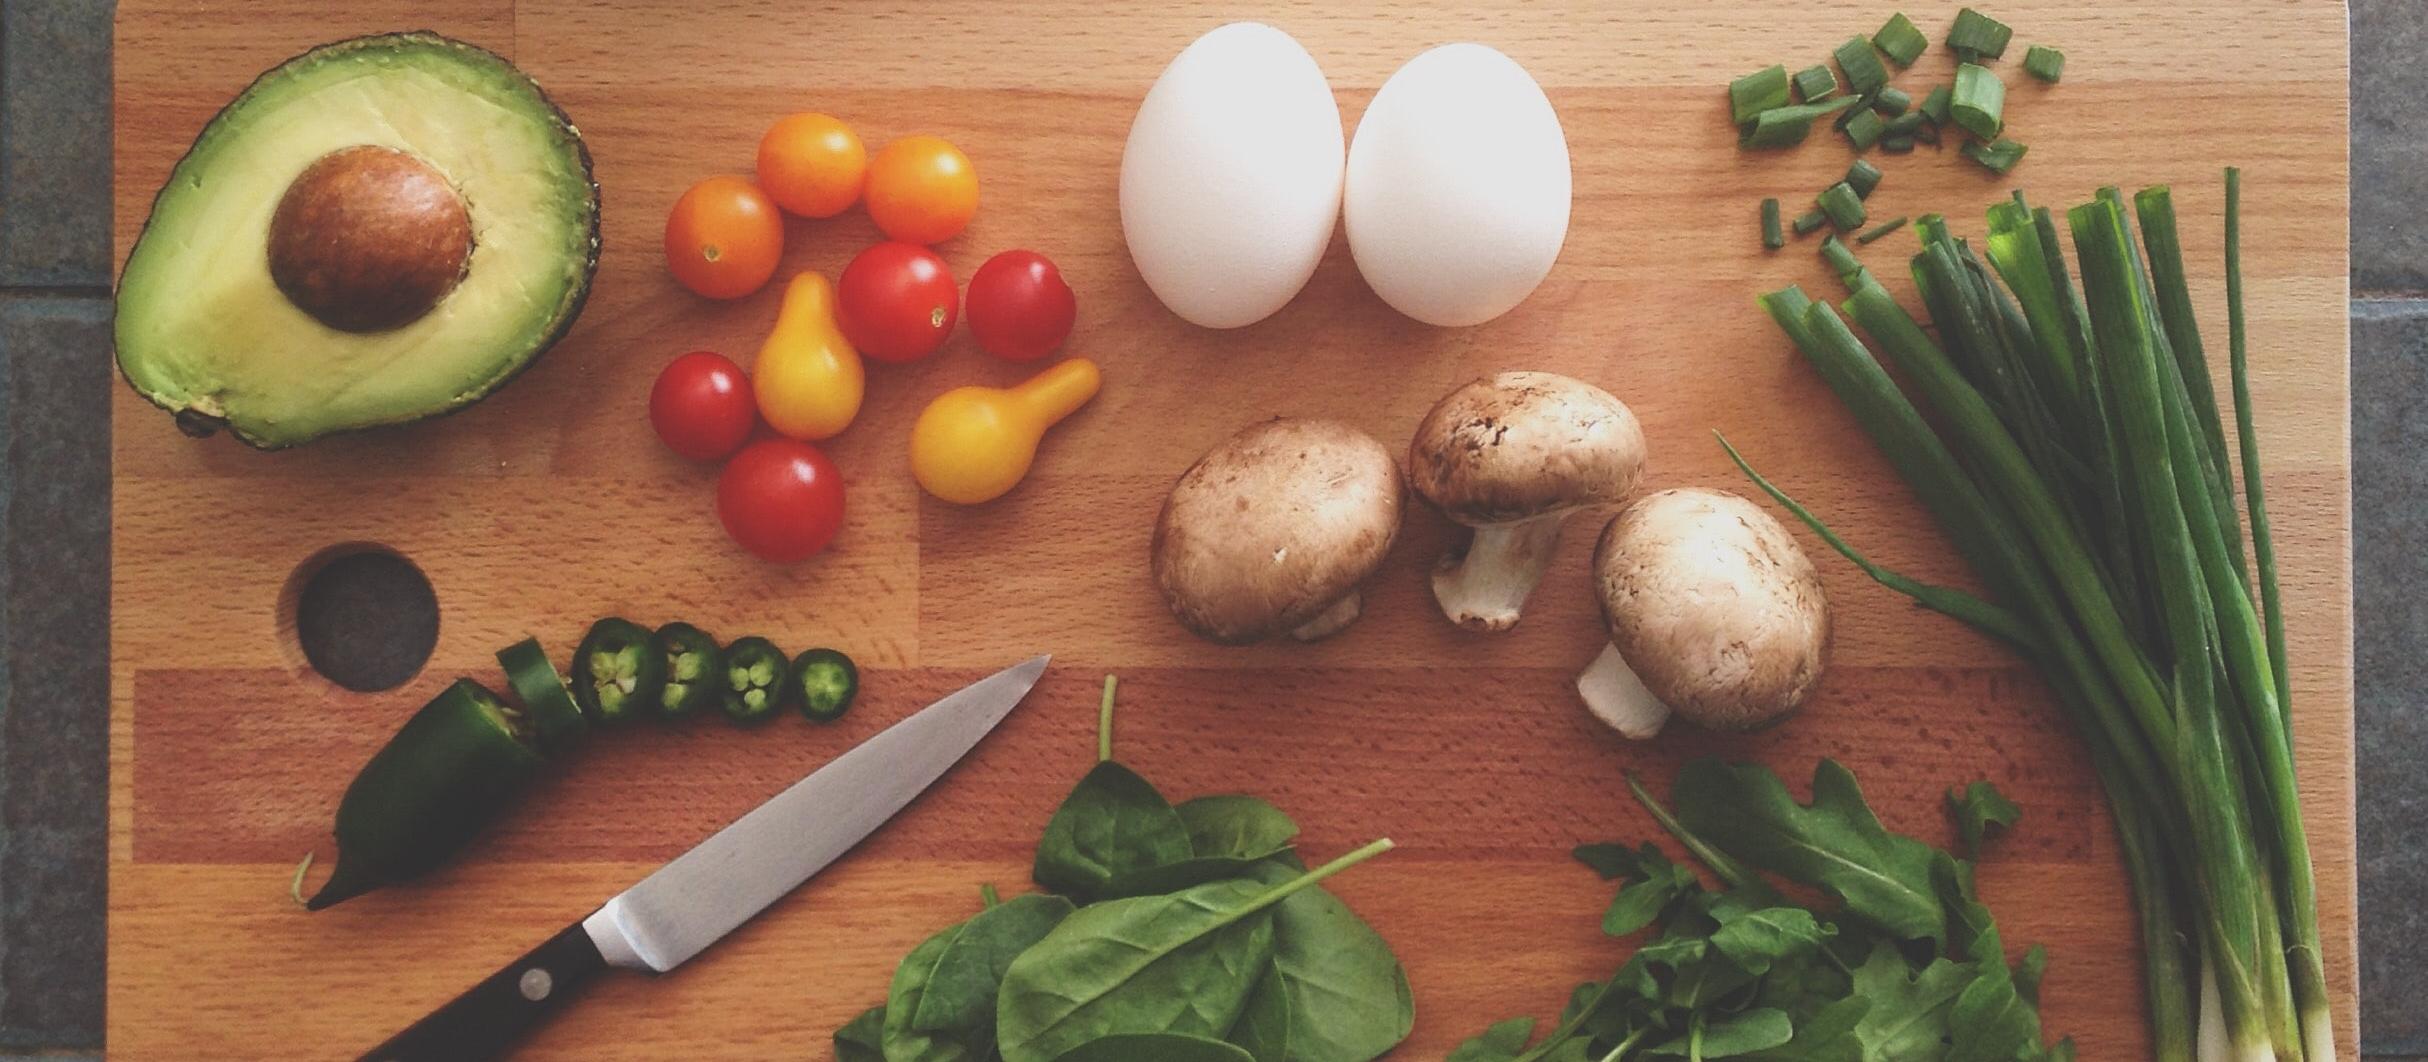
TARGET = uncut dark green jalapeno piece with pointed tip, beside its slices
(429,791)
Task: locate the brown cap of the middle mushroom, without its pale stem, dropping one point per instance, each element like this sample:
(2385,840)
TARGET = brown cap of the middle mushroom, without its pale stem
(1521,446)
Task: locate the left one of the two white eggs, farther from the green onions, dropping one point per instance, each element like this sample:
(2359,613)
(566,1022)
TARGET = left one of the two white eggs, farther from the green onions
(1232,176)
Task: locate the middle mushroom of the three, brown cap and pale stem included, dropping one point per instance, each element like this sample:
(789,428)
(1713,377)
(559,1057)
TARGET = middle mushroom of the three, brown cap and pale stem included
(1511,458)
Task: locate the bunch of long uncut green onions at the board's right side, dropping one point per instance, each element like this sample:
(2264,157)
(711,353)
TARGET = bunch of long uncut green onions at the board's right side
(2077,458)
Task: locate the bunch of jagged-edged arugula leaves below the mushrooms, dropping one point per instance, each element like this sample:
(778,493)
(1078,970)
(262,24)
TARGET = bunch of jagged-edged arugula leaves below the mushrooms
(1905,966)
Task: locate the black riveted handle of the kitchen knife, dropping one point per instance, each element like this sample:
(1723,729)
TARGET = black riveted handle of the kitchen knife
(489,1017)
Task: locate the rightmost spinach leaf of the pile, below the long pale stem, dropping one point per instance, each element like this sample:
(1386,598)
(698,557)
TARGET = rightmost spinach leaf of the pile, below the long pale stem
(1334,990)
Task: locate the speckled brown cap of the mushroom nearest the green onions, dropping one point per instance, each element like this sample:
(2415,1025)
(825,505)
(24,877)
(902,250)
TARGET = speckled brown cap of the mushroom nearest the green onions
(1713,606)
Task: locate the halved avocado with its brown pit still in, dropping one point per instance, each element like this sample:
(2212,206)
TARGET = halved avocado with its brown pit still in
(375,232)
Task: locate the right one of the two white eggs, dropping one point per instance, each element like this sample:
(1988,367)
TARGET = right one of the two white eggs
(1458,188)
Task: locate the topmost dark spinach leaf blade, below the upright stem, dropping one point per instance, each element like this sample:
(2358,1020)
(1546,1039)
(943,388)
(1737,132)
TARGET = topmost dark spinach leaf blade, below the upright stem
(1111,825)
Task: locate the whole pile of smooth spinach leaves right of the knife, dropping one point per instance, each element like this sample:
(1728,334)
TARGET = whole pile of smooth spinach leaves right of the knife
(1167,932)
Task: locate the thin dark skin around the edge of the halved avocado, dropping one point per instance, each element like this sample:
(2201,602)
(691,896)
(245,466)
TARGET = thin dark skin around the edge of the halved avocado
(200,424)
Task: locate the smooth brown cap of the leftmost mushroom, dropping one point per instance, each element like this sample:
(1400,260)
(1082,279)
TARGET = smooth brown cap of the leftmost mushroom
(1273,526)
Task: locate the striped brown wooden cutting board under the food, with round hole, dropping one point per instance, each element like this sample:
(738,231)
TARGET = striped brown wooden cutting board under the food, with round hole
(552,504)
